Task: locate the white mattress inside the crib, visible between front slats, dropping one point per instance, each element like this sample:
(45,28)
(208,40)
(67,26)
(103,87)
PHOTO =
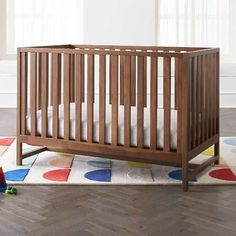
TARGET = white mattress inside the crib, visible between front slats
(108,125)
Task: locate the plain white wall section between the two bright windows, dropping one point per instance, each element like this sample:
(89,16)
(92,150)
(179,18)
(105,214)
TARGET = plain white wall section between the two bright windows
(119,22)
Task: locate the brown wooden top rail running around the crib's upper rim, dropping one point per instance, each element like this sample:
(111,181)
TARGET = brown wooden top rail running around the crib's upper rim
(122,50)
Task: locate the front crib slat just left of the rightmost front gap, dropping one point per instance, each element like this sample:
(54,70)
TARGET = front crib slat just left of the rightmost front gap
(167,87)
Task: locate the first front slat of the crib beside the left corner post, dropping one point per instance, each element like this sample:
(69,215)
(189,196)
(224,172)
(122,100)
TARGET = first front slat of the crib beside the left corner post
(33,95)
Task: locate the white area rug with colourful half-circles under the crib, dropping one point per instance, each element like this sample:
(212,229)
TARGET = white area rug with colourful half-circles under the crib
(50,168)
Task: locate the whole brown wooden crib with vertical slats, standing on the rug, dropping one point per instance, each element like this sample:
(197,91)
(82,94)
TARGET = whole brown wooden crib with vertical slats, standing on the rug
(135,78)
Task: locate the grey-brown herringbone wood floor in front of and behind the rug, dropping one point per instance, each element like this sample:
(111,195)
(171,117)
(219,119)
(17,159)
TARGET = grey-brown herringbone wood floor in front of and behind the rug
(120,210)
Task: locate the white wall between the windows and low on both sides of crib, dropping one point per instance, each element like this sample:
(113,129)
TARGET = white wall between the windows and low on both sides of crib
(130,22)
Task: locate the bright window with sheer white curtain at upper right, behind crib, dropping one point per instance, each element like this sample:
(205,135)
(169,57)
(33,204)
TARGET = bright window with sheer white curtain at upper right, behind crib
(198,23)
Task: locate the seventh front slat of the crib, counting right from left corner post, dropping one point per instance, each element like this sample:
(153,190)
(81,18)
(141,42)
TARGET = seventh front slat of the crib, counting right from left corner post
(102,99)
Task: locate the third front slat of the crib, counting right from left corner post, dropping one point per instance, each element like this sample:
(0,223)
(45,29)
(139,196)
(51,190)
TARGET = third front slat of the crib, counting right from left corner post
(55,85)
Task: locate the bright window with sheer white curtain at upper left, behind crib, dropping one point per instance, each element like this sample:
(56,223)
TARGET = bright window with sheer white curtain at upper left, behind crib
(42,22)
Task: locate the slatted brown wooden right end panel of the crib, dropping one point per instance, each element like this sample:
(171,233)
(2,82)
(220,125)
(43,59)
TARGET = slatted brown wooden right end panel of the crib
(203,99)
